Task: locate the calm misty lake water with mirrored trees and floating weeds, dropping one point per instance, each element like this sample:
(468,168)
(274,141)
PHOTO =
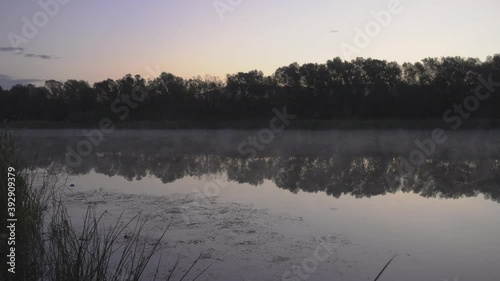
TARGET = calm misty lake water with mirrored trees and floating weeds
(255,218)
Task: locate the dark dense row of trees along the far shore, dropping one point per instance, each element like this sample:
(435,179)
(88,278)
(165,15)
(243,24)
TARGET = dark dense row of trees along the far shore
(361,89)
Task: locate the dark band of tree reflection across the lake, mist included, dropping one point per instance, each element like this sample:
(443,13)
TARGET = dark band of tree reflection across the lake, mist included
(454,171)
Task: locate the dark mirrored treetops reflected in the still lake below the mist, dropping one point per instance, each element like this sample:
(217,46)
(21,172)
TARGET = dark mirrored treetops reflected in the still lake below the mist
(360,175)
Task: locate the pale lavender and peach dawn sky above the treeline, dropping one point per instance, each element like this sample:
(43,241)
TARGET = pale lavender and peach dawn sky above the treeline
(94,40)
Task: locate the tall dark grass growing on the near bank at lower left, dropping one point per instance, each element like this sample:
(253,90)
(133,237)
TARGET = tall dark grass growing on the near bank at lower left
(49,247)
